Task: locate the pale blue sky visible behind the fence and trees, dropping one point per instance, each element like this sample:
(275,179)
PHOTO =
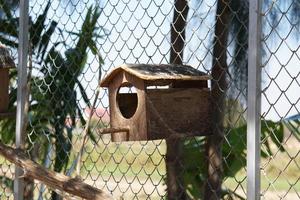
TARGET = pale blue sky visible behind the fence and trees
(138,32)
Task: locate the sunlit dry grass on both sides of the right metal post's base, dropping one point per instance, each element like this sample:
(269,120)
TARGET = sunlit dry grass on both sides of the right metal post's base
(280,174)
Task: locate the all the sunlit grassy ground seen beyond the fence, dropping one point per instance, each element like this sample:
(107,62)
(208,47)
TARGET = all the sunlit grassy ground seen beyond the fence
(138,170)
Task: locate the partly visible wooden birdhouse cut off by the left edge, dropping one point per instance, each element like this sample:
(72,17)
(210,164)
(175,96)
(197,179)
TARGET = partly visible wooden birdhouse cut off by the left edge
(6,62)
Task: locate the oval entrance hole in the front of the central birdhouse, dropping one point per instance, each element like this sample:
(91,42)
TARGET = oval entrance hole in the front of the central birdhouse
(127,100)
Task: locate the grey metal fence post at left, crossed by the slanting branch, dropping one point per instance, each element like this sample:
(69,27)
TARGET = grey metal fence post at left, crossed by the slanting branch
(21,93)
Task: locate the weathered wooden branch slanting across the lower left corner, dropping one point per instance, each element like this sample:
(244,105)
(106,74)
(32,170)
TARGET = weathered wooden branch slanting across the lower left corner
(73,186)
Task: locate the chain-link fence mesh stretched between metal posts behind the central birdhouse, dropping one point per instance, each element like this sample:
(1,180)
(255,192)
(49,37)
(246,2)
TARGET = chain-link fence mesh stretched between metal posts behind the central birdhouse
(74,44)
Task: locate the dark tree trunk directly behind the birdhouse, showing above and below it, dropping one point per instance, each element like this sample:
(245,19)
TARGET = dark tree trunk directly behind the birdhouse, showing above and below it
(174,161)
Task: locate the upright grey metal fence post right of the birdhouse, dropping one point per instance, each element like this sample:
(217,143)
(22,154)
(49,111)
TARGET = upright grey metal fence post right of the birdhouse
(254,101)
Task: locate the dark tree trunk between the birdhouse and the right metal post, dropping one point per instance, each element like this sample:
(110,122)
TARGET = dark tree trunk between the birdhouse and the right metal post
(219,88)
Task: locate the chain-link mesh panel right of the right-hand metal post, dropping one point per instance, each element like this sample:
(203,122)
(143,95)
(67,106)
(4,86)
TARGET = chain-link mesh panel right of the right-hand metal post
(280,98)
